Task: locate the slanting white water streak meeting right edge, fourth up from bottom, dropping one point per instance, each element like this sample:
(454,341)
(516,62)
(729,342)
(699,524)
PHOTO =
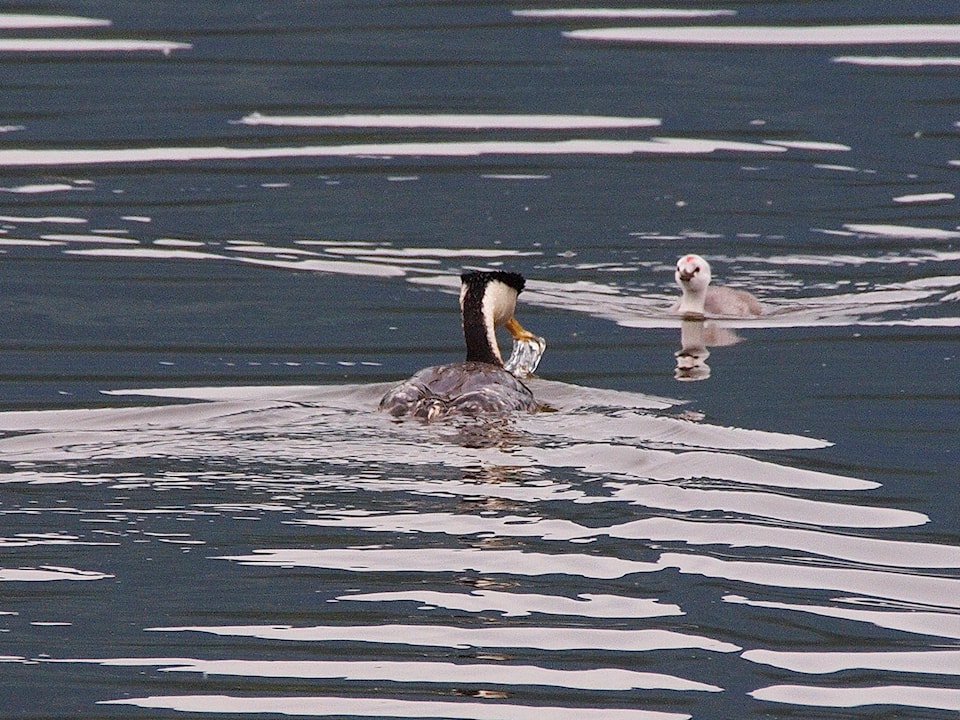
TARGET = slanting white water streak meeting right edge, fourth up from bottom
(942,592)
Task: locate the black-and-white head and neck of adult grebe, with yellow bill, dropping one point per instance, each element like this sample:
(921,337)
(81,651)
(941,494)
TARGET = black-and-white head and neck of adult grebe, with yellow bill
(488,300)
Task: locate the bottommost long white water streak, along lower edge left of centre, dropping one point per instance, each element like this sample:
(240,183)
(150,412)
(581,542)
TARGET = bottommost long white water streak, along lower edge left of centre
(381,708)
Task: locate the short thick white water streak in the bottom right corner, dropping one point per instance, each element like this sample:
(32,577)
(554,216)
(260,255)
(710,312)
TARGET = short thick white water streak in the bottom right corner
(898,695)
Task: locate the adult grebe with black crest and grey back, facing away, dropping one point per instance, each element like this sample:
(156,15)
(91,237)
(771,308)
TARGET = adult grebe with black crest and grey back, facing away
(480,385)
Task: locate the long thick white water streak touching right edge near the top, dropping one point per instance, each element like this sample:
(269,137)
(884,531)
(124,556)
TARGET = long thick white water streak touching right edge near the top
(778,35)
